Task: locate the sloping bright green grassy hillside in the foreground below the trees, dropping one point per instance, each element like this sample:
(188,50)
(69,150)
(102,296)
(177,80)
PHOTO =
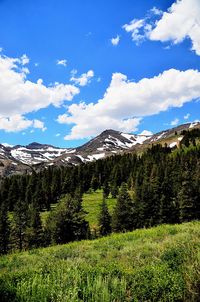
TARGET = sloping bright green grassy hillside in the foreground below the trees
(158,264)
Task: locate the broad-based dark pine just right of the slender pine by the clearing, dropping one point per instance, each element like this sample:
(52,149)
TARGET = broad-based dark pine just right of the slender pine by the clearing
(123,215)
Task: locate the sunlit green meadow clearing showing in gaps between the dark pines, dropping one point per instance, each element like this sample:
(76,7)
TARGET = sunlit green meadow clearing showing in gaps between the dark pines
(91,204)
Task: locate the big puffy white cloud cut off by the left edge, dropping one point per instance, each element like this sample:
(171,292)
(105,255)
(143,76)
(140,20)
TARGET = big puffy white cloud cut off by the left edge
(19,96)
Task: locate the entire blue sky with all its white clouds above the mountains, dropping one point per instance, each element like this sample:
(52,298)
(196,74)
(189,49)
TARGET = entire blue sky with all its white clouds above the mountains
(71,69)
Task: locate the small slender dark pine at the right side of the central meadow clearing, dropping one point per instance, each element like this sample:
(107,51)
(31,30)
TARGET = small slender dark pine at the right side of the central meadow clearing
(104,220)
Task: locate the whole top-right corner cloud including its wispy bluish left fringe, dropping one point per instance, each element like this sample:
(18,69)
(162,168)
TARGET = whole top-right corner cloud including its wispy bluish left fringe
(181,21)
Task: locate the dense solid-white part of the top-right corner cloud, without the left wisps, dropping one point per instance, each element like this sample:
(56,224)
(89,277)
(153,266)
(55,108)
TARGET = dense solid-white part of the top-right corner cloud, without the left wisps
(182,20)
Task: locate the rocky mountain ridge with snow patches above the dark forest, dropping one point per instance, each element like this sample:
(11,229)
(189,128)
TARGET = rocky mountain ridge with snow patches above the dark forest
(23,159)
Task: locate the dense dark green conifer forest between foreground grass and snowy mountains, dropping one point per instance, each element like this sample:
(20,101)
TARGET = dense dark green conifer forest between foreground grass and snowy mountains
(159,186)
